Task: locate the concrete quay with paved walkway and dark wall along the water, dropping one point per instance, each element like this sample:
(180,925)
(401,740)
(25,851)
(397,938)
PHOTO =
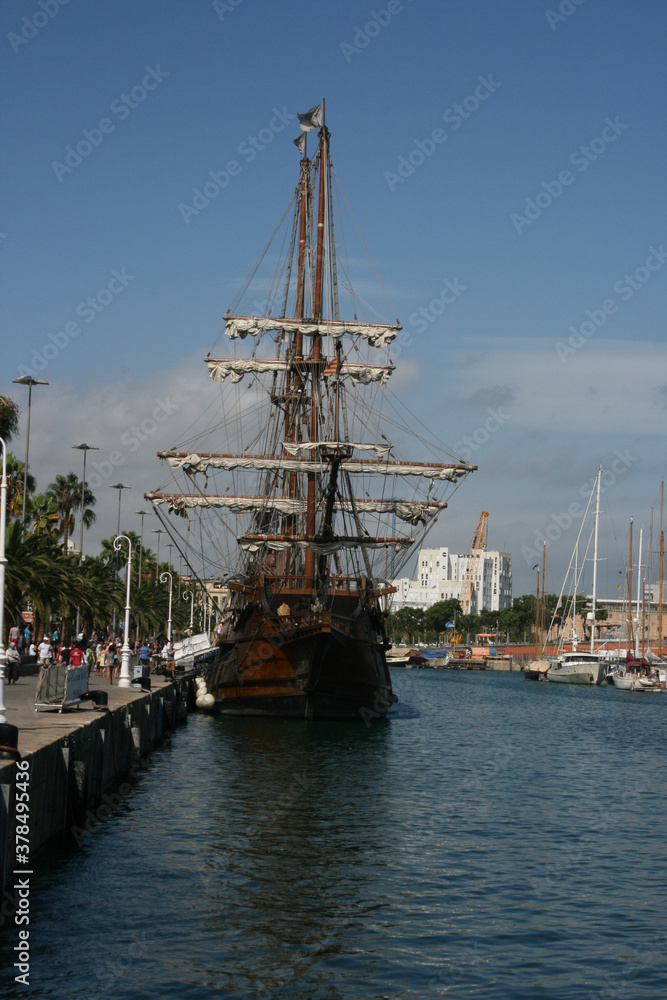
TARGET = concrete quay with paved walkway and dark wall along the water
(77,759)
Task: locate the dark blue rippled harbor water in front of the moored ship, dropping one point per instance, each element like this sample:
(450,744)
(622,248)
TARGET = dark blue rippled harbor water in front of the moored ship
(494,838)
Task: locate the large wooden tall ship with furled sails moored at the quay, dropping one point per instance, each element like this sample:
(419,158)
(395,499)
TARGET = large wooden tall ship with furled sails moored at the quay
(324,505)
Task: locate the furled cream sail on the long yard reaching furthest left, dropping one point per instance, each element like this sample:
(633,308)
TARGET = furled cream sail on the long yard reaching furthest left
(411,511)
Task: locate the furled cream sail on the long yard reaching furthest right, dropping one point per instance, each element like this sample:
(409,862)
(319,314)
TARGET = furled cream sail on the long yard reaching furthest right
(193,463)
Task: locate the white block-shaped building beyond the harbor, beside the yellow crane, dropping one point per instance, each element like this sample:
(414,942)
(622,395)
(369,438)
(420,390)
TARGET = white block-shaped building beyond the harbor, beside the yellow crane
(440,575)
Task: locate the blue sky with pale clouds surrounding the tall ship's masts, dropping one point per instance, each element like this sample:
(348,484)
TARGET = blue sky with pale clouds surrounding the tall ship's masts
(550,78)
